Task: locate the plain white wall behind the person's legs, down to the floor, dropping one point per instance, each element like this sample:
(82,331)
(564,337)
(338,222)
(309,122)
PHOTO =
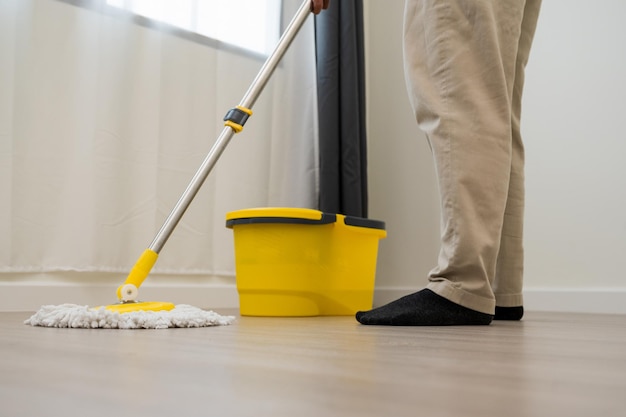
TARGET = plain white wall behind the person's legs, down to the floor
(576,181)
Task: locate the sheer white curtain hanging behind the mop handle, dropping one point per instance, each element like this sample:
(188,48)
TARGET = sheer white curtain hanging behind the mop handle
(103,122)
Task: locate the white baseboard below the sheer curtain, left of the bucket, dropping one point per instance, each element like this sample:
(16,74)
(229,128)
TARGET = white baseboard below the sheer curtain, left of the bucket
(31,296)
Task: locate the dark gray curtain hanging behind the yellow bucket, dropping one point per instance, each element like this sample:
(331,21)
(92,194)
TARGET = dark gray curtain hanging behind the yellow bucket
(341,98)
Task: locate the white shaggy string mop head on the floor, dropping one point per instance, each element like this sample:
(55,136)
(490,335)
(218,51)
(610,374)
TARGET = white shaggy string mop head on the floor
(77,316)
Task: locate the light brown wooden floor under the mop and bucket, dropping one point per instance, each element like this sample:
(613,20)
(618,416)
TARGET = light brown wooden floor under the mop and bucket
(547,365)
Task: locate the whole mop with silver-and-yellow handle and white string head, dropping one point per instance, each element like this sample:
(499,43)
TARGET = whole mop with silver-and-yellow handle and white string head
(129,312)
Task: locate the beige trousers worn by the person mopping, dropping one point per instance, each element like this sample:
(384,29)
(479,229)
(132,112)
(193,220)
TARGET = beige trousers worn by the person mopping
(464,65)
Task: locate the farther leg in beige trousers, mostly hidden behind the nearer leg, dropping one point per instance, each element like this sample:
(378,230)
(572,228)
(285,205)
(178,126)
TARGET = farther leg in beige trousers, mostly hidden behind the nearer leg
(510,265)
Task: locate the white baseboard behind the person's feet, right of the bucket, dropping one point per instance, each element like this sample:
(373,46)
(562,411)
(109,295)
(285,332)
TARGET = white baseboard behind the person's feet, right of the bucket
(585,300)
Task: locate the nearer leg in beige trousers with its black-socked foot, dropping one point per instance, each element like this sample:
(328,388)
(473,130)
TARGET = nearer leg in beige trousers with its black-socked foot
(460,62)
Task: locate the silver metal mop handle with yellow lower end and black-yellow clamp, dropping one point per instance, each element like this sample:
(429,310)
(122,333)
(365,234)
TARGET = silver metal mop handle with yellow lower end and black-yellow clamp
(233,124)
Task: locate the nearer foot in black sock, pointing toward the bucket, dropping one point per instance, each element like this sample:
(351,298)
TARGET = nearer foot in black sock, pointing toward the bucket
(423,308)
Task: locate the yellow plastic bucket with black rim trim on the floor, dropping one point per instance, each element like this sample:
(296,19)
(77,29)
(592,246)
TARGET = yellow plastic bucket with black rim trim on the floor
(303,262)
